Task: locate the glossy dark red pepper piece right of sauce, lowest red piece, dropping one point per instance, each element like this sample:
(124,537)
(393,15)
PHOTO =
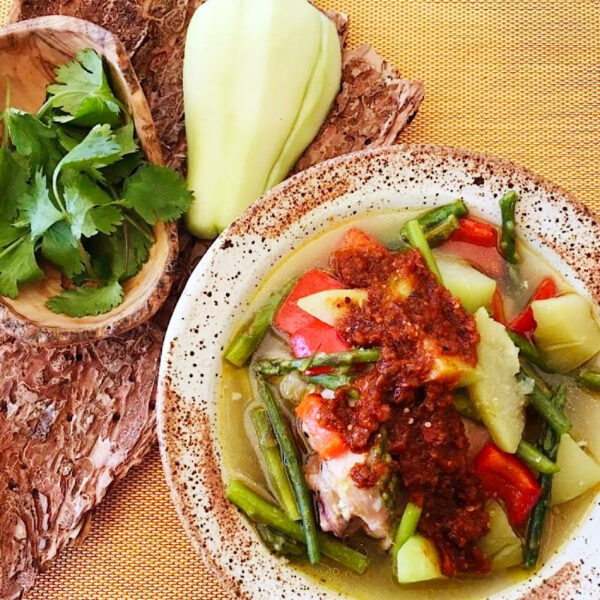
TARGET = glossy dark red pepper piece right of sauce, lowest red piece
(507,478)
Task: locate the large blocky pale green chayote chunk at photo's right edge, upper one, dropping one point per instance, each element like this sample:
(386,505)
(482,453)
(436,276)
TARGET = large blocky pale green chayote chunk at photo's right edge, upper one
(567,334)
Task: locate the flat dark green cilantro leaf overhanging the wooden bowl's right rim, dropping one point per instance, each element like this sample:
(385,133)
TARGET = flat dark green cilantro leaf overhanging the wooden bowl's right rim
(156,194)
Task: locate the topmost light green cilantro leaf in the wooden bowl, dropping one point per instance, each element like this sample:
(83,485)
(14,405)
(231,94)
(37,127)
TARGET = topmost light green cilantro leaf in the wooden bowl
(82,91)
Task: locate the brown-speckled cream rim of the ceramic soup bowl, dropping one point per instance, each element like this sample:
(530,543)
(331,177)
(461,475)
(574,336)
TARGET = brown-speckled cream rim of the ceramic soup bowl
(560,227)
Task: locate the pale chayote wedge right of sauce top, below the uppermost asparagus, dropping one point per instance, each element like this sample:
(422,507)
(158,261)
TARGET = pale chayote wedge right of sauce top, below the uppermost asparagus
(470,286)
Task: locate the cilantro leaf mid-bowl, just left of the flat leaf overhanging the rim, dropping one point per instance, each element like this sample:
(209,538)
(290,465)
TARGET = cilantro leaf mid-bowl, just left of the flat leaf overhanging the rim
(89,208)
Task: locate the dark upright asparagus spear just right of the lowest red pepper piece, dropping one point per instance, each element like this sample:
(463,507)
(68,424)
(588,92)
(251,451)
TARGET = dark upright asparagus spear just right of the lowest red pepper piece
(548,443)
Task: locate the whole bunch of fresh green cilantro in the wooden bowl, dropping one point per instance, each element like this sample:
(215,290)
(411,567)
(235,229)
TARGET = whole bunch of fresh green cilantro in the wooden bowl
(76,192)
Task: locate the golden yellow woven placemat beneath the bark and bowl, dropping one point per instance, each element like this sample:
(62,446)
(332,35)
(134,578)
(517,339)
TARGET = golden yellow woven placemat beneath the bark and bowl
(517,79)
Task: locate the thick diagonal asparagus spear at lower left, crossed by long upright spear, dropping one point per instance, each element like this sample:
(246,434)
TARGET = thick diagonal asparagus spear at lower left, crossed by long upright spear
(259,510)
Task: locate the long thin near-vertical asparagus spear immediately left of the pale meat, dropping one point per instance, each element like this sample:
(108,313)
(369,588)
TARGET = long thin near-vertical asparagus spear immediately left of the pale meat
(293,466)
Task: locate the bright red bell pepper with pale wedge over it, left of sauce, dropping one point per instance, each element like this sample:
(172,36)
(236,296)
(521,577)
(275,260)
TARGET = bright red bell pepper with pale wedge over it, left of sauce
(307,333)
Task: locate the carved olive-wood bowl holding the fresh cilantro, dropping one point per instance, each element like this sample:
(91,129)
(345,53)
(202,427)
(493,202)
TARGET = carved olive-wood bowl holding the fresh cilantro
(29,53)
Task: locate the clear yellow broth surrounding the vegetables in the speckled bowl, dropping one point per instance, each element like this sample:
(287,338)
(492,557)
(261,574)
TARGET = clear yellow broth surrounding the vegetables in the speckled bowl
(241,459)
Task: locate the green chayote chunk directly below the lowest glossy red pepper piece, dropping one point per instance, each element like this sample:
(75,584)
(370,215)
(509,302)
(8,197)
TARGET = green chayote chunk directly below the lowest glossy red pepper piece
(501,544)
